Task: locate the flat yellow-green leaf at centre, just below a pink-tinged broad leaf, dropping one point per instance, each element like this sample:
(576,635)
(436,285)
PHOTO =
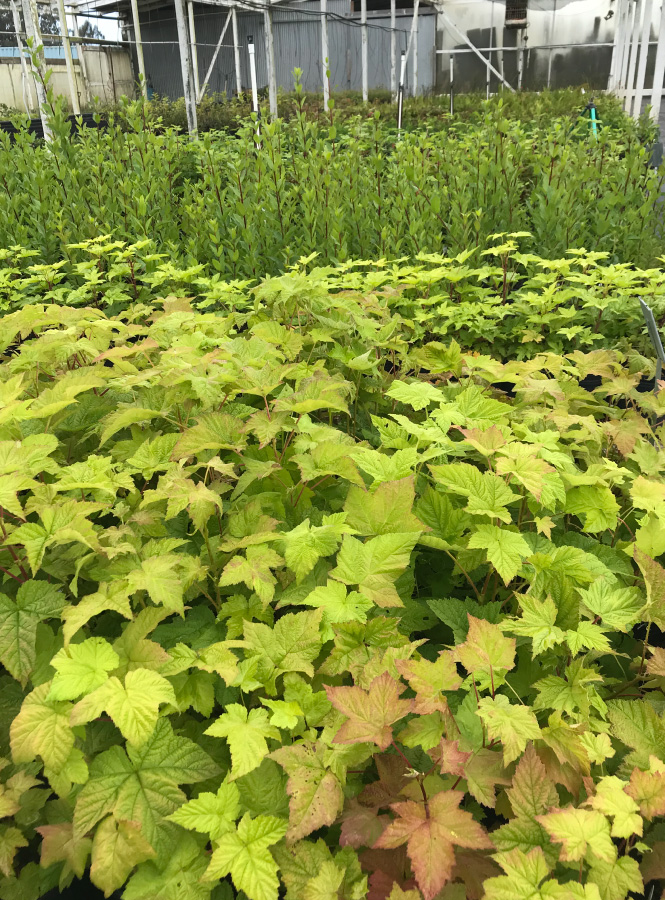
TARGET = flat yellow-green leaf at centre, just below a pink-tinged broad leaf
(375,565)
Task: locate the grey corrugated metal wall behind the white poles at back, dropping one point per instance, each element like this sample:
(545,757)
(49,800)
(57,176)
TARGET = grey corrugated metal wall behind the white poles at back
(297,37)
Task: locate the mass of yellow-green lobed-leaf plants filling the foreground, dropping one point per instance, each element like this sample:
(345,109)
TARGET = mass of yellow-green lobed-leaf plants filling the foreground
(297,601)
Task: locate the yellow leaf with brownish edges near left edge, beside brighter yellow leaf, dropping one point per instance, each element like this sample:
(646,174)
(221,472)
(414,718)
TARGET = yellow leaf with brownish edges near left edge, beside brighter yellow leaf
(42,729)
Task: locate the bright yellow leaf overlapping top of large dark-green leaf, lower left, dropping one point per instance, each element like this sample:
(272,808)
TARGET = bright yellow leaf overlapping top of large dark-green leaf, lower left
(133,706)
